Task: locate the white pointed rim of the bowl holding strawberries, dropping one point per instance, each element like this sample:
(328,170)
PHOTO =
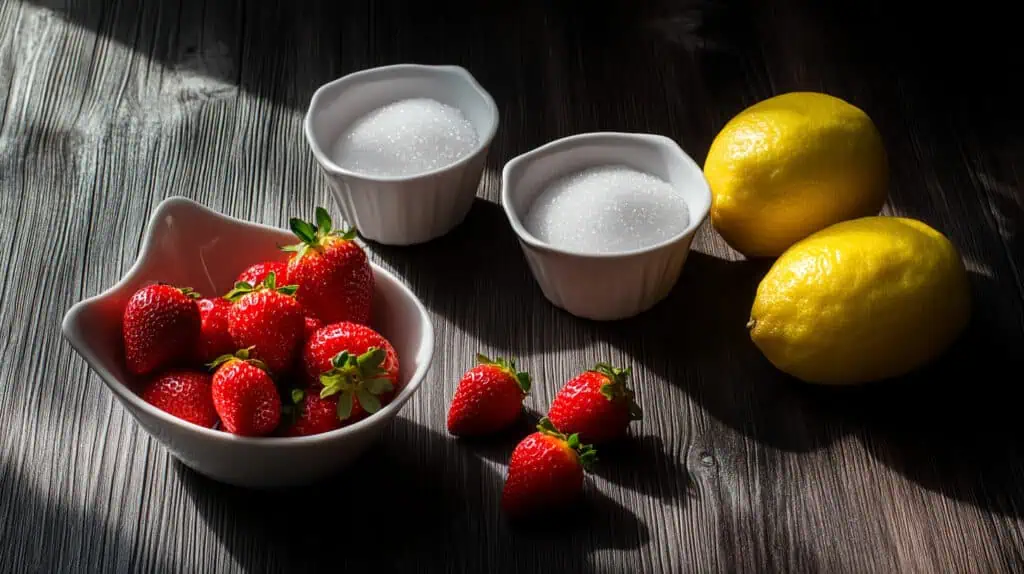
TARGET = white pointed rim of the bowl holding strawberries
(125,394)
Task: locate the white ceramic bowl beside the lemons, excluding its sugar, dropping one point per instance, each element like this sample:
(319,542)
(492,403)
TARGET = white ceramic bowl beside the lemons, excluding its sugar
(605,287)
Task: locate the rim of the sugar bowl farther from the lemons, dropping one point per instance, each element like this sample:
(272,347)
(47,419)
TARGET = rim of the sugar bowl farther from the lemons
(373,74)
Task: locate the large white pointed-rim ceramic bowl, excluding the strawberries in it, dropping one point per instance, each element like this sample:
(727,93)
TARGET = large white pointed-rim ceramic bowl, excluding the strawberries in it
(190,245)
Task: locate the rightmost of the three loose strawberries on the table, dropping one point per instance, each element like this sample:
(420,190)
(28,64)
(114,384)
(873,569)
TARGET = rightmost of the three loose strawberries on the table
(598,405)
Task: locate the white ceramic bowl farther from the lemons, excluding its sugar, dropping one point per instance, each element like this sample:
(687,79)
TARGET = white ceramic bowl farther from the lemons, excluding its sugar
(404,210)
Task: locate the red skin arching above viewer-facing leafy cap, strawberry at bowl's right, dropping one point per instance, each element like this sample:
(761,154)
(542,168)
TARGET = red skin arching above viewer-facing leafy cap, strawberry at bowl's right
(332,339)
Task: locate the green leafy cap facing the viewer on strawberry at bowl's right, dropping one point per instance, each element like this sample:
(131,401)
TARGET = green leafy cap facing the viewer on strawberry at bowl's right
(361,378)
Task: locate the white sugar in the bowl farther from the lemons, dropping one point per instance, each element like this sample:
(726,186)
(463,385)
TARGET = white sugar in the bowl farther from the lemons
(406,138)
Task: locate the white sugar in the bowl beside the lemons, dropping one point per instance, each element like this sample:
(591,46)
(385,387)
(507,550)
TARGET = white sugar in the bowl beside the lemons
(608,209)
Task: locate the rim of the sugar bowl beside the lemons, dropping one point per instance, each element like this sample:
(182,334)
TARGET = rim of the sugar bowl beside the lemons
(565,144)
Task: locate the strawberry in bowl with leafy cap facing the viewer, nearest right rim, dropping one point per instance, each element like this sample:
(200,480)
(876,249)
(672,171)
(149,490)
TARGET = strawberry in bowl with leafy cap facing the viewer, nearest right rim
(356,363)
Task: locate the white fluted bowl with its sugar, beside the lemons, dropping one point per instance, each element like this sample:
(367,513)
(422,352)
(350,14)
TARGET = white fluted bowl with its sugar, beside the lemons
(606,220)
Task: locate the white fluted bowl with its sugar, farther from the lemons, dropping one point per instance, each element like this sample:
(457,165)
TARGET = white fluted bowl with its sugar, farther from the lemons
(403,148)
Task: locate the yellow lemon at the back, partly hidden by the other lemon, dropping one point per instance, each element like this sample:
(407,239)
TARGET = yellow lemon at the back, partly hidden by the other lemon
(790,166)
